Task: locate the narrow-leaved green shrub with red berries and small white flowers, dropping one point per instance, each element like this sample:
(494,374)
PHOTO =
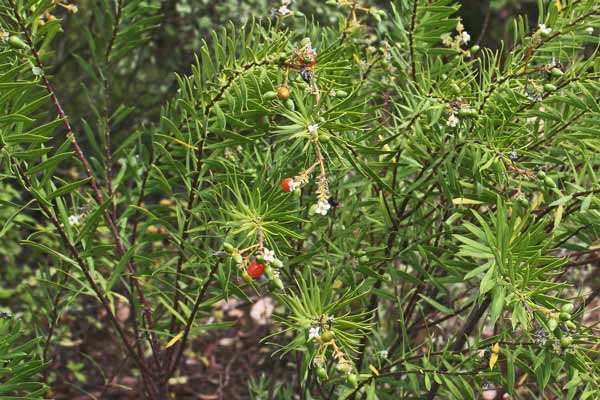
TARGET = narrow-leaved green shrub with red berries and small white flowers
(423,210)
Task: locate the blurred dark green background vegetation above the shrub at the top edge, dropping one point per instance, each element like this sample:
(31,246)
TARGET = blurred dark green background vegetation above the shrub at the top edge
(187,22)
